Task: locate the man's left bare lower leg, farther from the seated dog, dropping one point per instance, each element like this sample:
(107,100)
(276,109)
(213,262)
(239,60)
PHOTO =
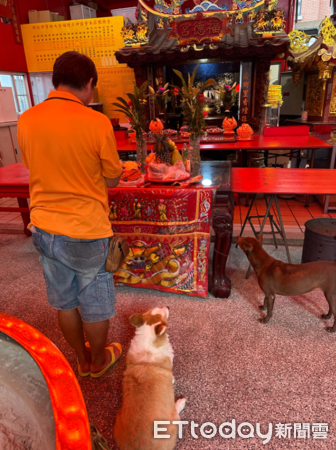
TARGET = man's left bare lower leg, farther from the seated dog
(72,328)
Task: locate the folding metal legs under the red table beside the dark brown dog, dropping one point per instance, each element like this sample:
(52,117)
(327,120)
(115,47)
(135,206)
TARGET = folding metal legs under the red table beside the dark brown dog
(274,226)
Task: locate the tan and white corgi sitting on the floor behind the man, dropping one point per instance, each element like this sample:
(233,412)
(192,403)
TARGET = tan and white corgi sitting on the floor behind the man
(148,393)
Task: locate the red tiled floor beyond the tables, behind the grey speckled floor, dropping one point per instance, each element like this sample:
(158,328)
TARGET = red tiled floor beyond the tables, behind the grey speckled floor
(294,215)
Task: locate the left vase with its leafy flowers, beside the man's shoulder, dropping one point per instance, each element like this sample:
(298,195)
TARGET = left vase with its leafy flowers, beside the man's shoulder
(134,110)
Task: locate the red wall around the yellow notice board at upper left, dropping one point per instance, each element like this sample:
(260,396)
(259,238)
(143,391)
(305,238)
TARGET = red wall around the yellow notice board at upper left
(12,58)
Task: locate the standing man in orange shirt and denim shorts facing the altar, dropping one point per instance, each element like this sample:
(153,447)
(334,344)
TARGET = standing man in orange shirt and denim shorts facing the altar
(71,153)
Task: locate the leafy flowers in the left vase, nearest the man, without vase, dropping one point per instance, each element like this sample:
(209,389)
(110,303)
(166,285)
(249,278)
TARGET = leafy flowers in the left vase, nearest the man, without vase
(134,109)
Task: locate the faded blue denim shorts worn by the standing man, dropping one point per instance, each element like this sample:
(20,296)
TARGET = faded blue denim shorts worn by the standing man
(75,276)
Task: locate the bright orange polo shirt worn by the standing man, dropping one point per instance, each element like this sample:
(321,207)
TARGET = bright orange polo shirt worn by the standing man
(68,149)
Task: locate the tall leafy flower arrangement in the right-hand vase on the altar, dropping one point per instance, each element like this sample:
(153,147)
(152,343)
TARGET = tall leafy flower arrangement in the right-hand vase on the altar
(193,101)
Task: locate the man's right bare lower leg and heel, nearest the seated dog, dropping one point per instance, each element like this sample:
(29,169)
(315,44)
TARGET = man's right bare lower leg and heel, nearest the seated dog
(96,333)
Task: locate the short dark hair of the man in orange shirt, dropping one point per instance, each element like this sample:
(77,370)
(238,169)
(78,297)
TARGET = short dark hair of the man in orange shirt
(74,70)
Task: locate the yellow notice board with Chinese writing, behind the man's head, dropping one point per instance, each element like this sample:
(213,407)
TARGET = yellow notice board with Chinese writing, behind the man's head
(97,38)
